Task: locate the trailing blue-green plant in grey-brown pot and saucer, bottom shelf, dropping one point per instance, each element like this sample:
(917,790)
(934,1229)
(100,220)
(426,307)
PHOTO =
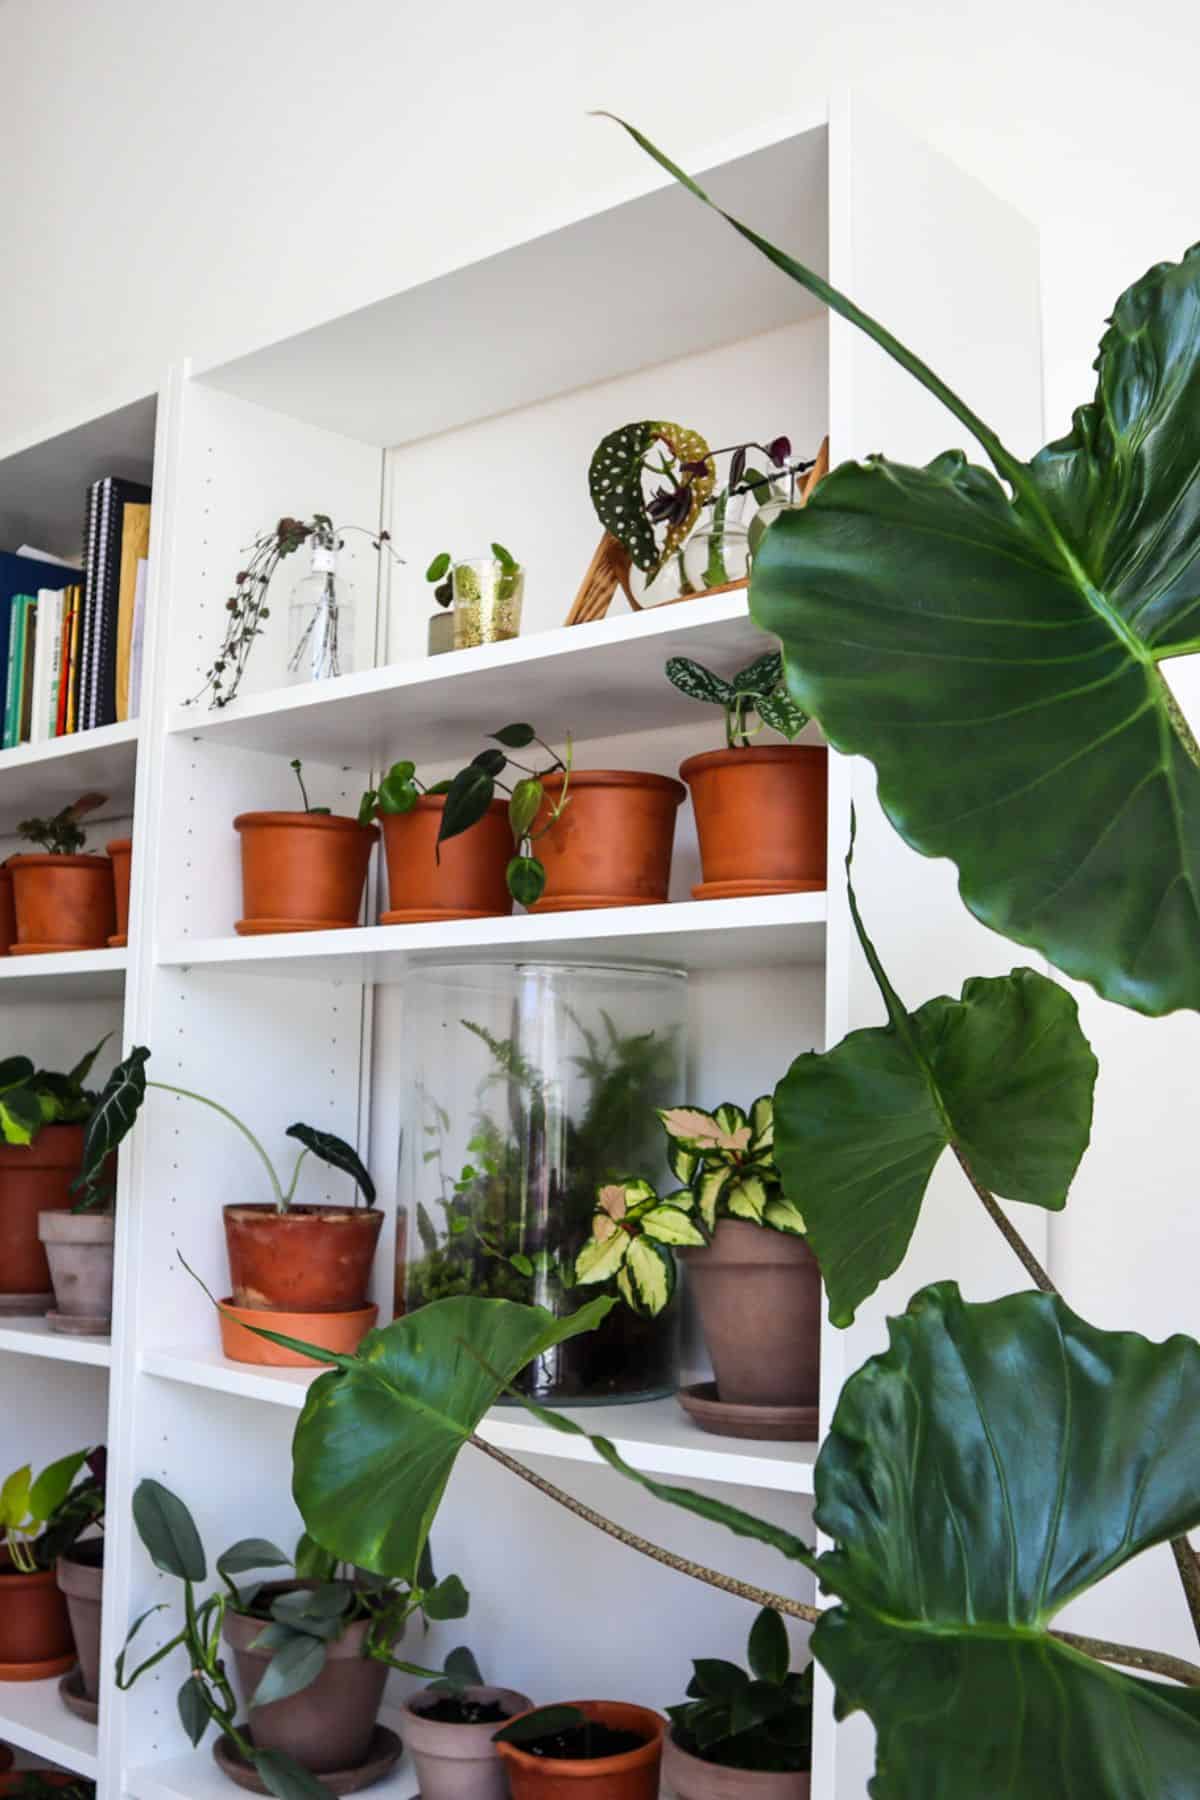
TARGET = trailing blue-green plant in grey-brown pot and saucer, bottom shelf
(310,1651)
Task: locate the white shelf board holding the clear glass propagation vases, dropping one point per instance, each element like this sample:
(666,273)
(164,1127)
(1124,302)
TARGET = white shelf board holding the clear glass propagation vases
(598,681)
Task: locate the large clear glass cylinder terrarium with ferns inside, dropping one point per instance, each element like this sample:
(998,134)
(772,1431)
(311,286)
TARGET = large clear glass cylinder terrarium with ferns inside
(533,1086)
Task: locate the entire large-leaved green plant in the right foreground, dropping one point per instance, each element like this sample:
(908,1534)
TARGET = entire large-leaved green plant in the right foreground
(998,1459)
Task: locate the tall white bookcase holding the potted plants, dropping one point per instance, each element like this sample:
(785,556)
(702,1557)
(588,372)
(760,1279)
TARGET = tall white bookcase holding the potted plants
(413,417)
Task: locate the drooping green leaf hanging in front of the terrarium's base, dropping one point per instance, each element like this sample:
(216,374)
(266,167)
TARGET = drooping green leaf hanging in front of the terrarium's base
(379,1437)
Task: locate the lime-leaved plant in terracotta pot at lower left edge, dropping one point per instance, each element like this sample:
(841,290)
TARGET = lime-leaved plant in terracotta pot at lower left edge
(40,1520)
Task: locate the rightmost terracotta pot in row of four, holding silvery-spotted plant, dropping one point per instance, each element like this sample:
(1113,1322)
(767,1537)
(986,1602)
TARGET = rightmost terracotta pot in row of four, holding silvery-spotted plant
(762,820)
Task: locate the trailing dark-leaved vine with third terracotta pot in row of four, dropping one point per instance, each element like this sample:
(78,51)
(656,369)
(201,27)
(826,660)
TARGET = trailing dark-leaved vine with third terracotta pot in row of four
(605,836)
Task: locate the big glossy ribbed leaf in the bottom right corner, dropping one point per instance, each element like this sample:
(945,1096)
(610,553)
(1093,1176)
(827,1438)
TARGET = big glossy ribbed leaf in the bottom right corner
(972,1489)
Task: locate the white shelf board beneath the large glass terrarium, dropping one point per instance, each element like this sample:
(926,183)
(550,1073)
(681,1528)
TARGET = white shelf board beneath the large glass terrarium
(652,1435)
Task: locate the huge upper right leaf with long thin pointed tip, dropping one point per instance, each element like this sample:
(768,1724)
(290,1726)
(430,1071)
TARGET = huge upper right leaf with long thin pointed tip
(996,652)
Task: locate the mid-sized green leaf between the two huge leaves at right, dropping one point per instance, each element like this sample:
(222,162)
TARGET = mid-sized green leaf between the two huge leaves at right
(1005,1075)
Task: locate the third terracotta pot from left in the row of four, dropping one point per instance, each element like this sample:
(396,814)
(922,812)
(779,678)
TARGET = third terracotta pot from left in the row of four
(613,845)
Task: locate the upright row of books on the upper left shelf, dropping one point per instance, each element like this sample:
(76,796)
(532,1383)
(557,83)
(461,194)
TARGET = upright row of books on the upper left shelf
(71,640)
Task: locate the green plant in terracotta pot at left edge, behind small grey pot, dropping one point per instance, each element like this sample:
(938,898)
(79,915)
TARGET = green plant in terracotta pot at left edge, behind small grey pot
(42,1129)
